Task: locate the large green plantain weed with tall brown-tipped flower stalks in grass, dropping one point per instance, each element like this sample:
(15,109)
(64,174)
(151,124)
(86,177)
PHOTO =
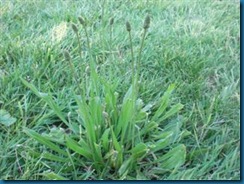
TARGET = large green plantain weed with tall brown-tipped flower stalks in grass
(112,140)
